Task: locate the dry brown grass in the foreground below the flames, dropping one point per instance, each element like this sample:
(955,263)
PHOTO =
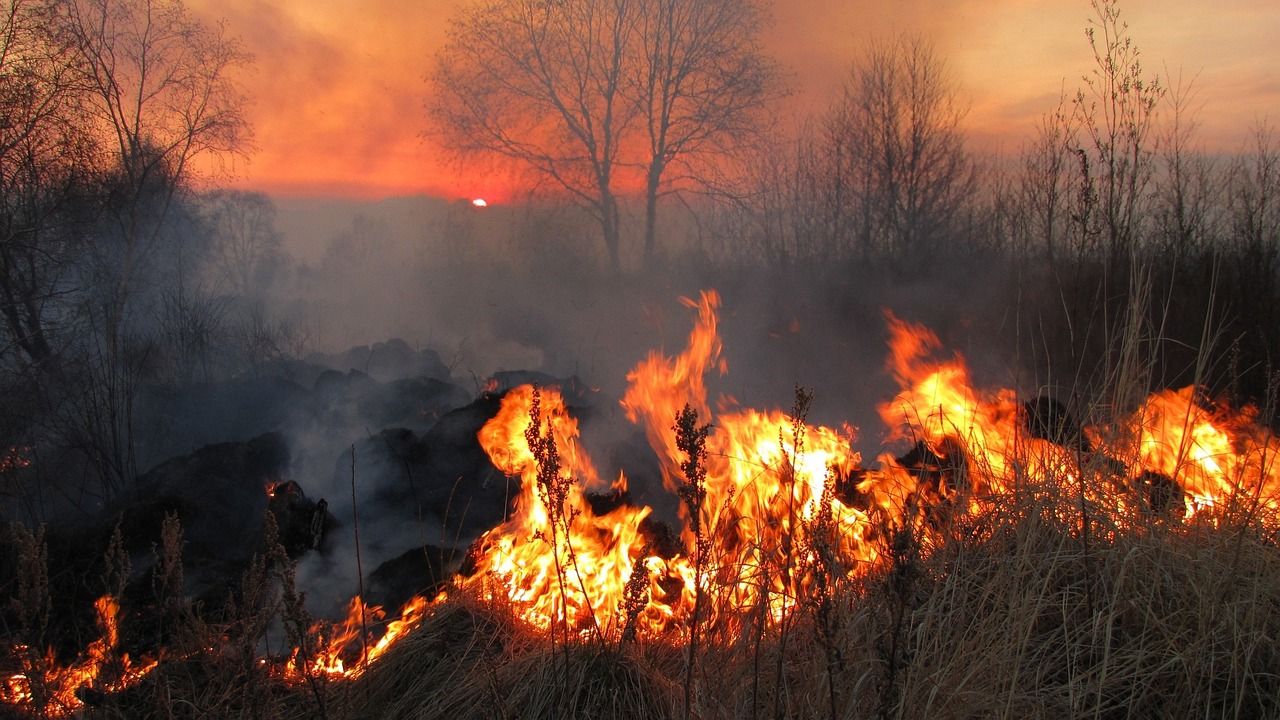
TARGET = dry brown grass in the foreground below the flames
(1013,616)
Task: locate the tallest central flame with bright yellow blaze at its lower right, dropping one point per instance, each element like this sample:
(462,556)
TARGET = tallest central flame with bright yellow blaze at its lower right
(770,479)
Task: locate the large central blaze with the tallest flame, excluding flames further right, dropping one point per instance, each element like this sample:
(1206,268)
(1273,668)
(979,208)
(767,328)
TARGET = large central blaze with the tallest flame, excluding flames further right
(770,480)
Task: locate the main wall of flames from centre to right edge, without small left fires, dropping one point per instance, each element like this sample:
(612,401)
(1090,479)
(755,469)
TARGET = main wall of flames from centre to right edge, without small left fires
(787,508)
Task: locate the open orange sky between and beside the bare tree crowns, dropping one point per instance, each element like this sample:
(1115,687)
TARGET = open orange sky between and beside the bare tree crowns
(339,86)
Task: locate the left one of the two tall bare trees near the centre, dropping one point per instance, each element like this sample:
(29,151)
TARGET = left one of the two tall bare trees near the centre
(542,84)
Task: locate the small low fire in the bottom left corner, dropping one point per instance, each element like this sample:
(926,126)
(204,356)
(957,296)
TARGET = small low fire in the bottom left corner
(57,690)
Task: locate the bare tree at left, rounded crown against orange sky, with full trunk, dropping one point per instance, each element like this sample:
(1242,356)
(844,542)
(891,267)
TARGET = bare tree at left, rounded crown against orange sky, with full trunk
(156,93)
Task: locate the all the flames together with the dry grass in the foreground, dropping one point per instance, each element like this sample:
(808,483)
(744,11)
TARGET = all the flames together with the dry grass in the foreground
(1108,531)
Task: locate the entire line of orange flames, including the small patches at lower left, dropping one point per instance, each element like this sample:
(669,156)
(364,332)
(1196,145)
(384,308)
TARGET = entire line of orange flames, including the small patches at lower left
(776,512)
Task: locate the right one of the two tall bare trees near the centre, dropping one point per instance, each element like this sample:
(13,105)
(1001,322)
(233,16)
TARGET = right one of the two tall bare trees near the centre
(702,83)
